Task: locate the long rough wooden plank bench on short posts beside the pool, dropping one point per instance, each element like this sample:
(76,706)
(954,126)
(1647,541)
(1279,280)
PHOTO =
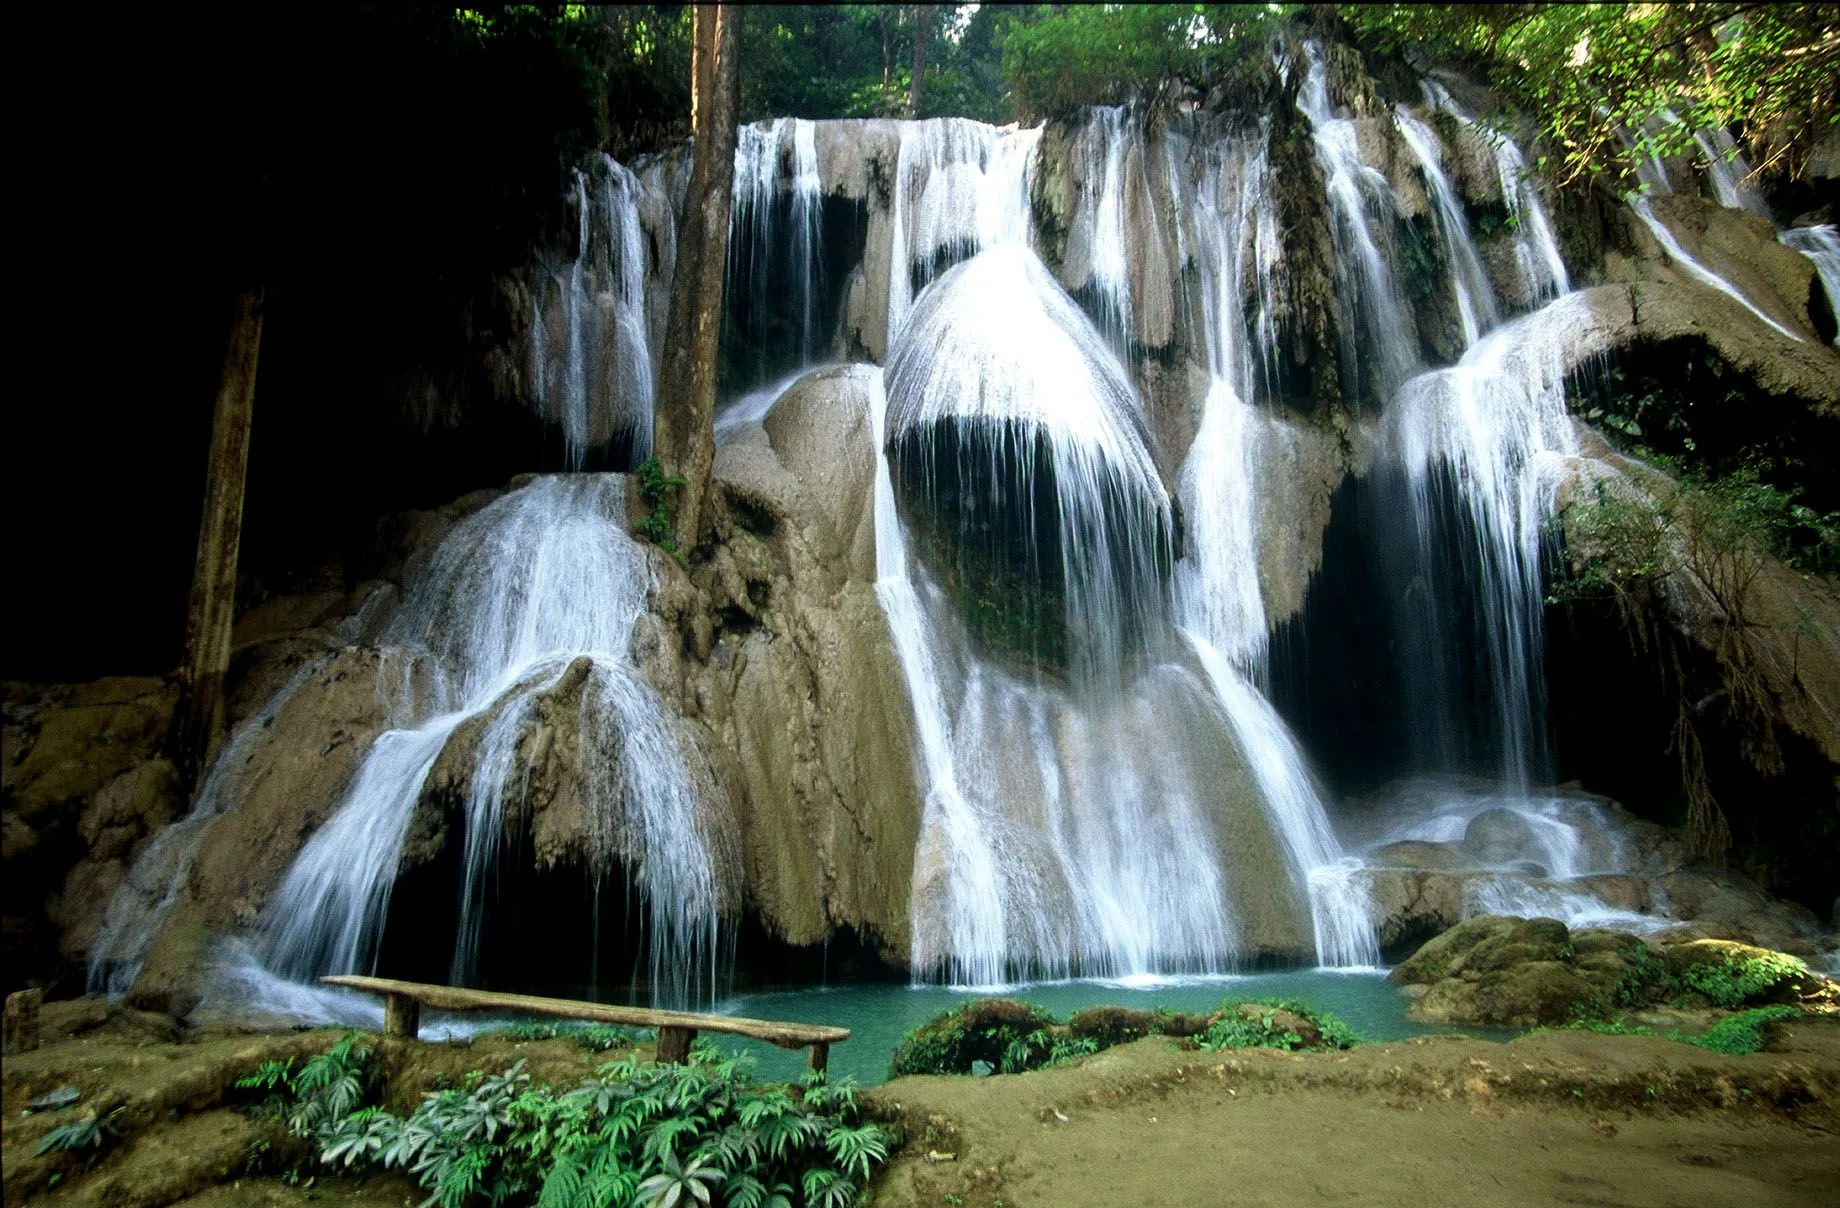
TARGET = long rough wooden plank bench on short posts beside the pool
(404,1001)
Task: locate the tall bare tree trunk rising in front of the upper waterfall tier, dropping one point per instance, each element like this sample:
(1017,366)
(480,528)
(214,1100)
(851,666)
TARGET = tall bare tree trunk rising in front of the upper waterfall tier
(685,429)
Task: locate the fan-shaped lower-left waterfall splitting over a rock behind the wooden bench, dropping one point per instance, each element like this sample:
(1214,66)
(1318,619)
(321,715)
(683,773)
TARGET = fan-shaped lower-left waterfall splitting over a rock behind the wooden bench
(533,591)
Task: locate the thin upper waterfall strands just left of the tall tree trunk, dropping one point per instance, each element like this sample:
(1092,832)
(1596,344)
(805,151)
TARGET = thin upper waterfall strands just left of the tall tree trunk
(592,352)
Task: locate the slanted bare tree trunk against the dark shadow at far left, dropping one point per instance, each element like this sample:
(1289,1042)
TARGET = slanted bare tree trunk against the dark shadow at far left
(213,610)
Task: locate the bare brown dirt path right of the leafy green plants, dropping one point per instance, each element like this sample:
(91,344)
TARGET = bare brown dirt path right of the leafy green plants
(1565,1119)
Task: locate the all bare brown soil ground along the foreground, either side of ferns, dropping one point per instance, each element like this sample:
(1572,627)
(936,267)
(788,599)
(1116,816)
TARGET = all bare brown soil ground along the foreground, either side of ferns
(1569,1119)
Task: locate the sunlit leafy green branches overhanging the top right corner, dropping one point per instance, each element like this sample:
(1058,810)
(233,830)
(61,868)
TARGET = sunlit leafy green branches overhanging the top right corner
(1591,71)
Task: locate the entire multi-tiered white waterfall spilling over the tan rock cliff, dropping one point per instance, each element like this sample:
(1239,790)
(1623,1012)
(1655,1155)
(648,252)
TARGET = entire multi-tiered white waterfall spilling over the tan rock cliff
(1083,461)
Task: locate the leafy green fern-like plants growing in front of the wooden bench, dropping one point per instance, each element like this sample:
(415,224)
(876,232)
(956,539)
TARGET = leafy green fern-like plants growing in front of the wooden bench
(638,1135)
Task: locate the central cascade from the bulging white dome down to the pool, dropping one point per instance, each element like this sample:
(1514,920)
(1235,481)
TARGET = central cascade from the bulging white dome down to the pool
(1050,847)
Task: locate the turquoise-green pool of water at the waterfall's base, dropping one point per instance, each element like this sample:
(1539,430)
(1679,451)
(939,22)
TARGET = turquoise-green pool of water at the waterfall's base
(879,1016)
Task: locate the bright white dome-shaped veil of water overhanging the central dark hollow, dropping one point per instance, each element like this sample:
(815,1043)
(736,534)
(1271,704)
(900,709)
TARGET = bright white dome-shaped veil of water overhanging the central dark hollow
(1000,370)
